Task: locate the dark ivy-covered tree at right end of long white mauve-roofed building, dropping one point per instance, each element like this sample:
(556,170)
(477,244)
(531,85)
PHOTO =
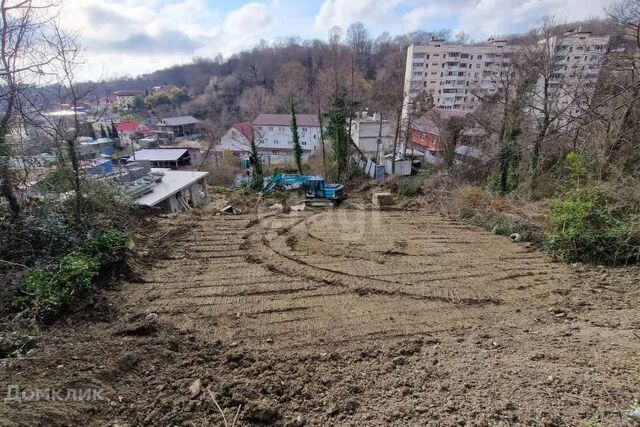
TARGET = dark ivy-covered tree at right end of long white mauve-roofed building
(337,129)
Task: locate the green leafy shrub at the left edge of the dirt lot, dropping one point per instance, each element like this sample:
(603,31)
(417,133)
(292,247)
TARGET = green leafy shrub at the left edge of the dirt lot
(49,292)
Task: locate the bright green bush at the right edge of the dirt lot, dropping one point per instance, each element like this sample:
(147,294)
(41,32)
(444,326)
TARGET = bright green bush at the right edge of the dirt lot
(591,224)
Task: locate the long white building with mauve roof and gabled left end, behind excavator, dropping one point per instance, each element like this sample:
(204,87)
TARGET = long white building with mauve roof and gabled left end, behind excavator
(273,137)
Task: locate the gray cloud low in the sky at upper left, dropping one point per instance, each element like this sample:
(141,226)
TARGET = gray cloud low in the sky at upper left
(142,43)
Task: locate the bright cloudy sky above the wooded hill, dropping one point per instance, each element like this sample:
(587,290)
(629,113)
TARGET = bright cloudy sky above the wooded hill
(130,37)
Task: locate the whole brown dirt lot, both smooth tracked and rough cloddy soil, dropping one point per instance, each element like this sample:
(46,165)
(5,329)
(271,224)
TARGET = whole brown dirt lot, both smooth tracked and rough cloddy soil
(344,317)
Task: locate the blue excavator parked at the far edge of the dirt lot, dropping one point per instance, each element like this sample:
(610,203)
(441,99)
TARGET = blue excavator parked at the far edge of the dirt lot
(317,191)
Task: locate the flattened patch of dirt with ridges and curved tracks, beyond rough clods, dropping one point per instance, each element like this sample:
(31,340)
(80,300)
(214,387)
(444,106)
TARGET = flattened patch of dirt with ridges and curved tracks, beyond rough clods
(297,279)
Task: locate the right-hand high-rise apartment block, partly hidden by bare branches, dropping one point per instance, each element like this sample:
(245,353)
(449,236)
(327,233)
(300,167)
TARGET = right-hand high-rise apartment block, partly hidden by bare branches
(578,60)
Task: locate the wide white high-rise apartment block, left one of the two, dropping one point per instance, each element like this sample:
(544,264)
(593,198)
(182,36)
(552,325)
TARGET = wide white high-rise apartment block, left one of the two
(452,73)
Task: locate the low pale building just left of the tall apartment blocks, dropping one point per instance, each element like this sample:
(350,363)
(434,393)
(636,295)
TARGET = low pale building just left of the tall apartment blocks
(365,131)
